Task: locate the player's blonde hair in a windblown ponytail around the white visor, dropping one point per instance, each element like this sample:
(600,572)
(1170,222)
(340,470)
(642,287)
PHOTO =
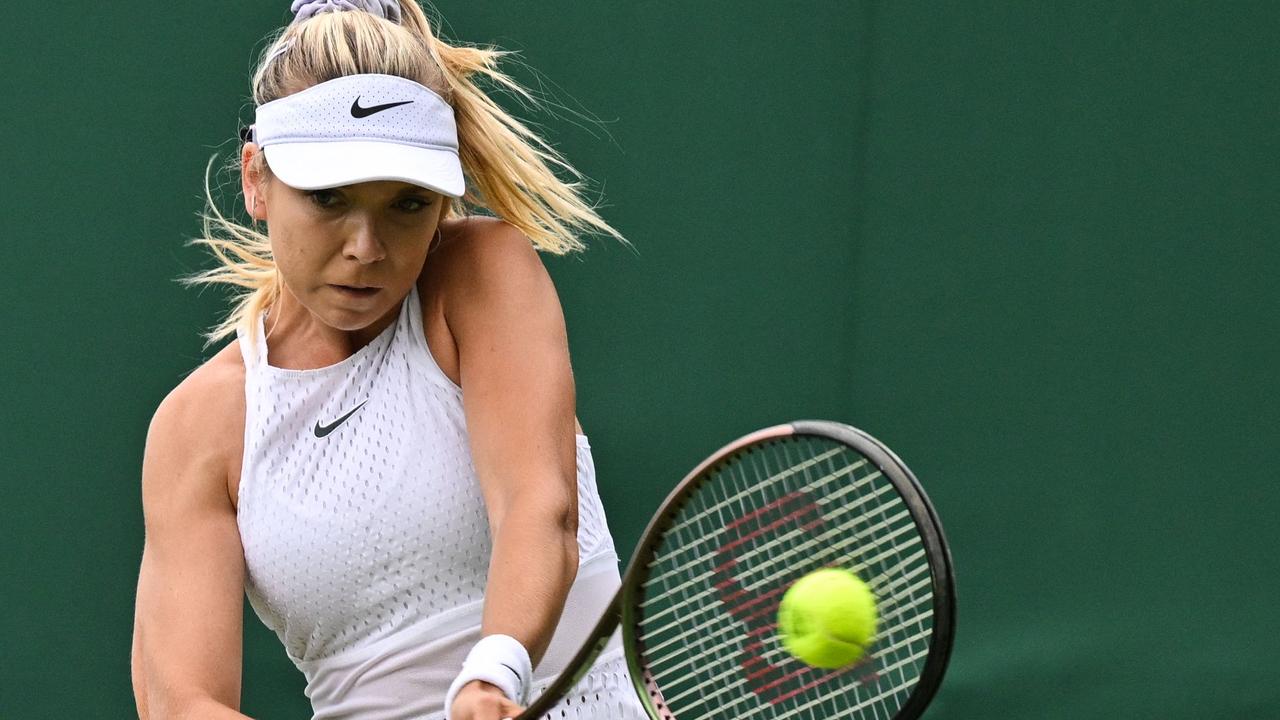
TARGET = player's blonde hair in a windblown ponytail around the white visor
(511,171)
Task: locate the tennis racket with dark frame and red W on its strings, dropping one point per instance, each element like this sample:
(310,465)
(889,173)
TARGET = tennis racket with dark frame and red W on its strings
(698,603)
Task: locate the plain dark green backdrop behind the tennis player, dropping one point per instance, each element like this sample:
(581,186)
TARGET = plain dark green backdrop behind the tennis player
(1030,245)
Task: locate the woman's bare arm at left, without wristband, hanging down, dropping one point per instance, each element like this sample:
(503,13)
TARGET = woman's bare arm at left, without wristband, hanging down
(189,616)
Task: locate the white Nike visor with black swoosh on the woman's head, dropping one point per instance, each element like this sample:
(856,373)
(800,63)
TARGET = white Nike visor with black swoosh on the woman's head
(358,129)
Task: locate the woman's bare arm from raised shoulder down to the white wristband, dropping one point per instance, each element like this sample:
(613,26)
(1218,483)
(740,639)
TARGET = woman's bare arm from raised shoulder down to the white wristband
(518,390)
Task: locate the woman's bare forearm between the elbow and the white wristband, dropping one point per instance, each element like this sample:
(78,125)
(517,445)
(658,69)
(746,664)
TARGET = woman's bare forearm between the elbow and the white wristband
(533,566)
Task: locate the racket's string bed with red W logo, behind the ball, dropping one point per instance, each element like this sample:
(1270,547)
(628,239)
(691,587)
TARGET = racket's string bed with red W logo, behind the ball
(758,522)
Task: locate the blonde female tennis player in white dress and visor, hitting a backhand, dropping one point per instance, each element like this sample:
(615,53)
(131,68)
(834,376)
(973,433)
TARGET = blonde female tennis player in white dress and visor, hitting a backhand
(386,459)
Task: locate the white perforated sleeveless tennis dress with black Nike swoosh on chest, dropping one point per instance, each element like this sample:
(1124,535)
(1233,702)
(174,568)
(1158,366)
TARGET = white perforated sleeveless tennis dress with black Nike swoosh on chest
(367,539)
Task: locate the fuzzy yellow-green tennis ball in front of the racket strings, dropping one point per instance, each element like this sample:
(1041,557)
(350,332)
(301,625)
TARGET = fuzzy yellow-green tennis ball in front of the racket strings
(828,618)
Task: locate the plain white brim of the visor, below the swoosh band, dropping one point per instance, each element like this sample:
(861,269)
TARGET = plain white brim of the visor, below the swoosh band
(316,166)
